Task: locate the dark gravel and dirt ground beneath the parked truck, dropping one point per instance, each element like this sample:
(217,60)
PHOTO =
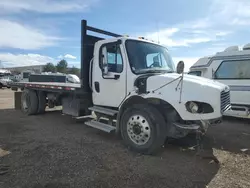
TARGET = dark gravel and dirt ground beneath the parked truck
(55,151)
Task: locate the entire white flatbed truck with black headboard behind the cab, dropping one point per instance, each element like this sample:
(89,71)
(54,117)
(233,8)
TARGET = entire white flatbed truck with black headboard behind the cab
(134,84)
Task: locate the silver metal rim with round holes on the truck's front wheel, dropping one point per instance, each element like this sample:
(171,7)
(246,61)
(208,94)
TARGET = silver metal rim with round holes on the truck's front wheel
(138,129)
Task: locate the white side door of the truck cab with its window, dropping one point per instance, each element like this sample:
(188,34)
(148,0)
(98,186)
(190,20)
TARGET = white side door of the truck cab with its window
(109,75)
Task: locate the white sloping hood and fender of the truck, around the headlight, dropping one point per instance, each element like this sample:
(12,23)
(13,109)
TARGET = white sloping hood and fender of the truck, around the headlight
(168,87)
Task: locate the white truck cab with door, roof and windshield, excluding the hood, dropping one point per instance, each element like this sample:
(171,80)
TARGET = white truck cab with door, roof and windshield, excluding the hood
(119,63)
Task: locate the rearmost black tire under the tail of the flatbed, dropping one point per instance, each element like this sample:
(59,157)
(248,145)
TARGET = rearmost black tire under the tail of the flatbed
(29,102)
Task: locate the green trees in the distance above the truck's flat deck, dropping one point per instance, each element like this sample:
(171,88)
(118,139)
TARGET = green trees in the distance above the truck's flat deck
(62,67)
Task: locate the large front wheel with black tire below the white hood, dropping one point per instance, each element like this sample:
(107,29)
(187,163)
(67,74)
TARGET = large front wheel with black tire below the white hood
(148,136)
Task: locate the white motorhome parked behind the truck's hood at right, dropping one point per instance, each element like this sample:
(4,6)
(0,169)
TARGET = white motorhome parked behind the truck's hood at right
(231,67)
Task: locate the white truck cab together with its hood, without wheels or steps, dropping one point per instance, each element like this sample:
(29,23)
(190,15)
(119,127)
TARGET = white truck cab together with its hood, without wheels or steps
(124,68)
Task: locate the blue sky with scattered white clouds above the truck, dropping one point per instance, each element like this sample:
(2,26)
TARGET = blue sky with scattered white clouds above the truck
(40,31)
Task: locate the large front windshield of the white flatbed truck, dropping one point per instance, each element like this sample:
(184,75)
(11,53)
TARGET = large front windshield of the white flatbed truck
(147,57)
